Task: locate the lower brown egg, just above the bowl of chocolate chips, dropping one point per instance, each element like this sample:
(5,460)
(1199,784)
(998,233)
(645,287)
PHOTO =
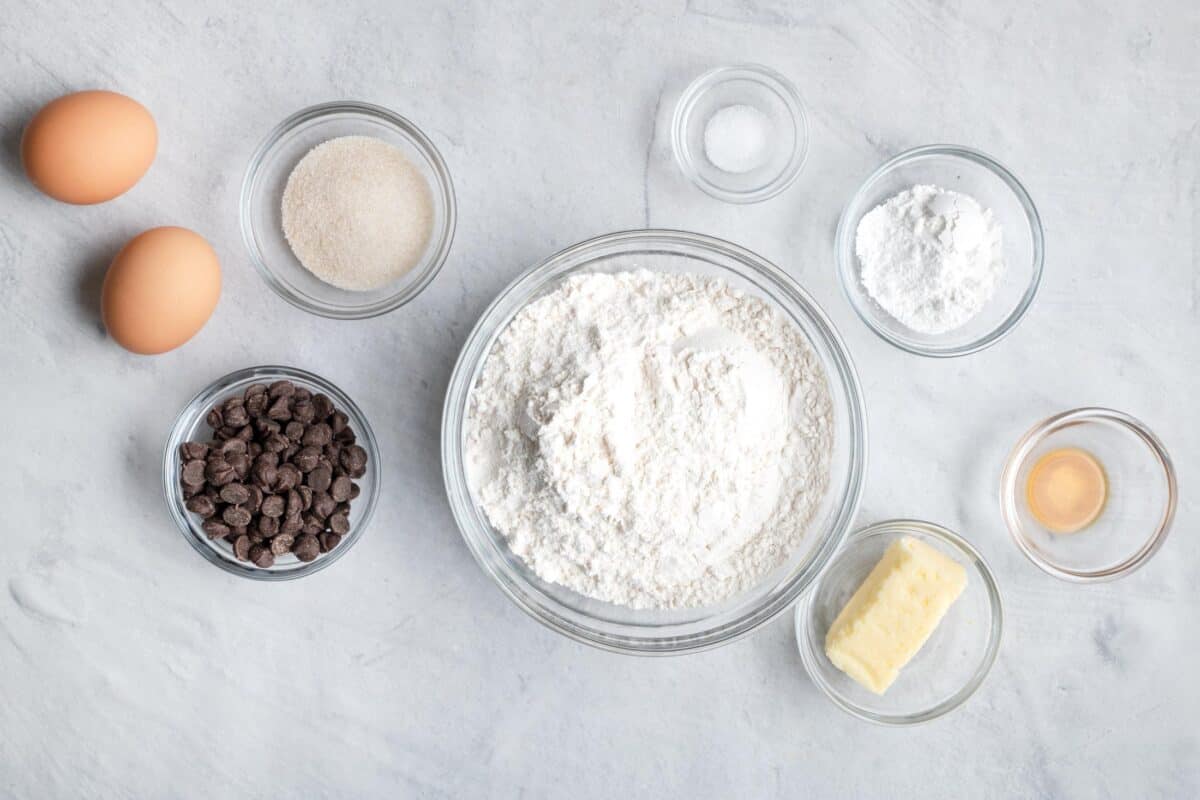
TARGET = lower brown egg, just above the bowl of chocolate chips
(160,290)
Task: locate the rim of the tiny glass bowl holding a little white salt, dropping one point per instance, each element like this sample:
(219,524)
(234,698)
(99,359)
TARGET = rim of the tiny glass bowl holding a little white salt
(770,79)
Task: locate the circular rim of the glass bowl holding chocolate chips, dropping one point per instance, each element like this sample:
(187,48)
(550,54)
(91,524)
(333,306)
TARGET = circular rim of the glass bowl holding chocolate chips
(200,404)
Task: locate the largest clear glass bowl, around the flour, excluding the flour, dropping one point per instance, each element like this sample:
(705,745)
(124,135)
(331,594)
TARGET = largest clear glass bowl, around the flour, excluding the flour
(641,631)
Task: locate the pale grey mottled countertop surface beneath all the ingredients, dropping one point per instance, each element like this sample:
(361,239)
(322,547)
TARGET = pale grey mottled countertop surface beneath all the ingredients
(134,669)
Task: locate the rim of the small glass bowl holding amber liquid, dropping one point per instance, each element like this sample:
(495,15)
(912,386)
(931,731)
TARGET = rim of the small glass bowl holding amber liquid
(1035,436)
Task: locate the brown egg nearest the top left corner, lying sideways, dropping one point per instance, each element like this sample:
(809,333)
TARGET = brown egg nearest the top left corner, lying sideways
(89,147)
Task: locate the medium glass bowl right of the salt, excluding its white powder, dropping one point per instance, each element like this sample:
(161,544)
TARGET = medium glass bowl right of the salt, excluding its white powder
(995,188)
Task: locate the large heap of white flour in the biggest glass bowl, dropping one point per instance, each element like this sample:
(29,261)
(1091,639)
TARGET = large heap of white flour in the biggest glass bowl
(651,440)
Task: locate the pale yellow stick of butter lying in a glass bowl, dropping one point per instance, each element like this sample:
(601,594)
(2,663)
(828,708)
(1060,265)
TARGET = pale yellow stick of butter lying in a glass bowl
(895,612)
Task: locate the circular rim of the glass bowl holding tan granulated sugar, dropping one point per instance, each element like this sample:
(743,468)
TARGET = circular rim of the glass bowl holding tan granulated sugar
(443,196)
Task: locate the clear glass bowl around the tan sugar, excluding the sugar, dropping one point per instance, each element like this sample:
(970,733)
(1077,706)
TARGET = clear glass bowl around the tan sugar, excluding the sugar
(262,216)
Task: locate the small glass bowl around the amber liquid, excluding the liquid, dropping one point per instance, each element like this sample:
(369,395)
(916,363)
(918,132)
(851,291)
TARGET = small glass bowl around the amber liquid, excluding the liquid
(1141,506)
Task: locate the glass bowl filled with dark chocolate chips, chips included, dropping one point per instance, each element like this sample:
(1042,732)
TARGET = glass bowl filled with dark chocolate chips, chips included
(272,473)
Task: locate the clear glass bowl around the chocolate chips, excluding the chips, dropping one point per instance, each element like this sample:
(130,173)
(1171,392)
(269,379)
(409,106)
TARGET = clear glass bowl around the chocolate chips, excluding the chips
(191,426)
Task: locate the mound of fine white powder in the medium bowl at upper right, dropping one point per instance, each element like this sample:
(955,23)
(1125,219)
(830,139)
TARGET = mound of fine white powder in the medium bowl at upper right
(931,257)
